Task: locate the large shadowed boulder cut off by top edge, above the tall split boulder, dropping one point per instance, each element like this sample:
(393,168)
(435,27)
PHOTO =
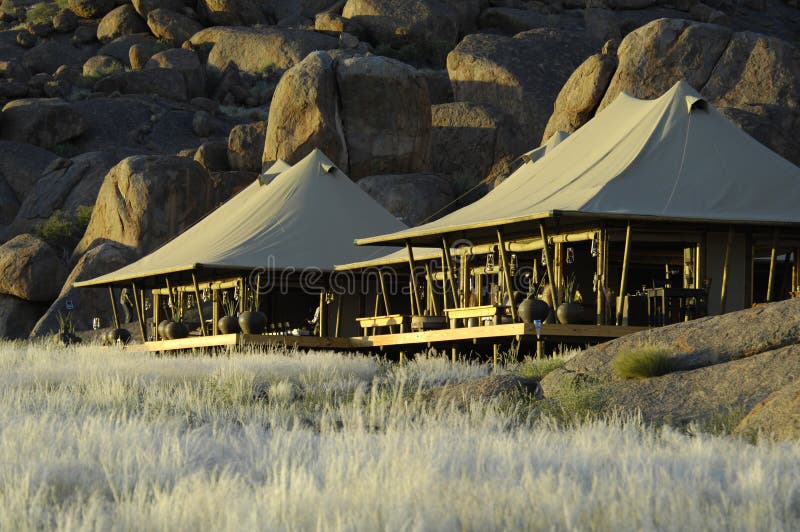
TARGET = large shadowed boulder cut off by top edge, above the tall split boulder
(406,21)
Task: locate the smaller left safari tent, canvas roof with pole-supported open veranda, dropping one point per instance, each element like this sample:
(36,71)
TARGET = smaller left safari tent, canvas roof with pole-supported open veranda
(284,233)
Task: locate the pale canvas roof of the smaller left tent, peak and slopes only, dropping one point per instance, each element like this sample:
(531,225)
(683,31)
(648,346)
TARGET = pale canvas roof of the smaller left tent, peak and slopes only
(307,216)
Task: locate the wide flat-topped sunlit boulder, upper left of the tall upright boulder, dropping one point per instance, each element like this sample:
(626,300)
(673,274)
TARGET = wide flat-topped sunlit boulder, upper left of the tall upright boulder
(256,50)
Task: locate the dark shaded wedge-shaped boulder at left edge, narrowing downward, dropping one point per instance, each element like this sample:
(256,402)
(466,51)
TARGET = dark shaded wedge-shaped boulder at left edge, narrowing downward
(21,165)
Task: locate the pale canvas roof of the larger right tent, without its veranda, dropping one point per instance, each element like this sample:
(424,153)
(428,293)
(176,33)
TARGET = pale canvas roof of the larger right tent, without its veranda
(672,158)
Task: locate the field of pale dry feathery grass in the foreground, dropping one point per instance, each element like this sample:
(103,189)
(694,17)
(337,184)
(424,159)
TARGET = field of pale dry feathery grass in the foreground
(104,439)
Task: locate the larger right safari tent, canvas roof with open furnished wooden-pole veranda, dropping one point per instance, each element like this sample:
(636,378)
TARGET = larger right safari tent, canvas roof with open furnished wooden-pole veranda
(663,202)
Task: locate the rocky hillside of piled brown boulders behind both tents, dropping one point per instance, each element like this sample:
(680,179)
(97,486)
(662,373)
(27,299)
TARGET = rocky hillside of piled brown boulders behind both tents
(124,122)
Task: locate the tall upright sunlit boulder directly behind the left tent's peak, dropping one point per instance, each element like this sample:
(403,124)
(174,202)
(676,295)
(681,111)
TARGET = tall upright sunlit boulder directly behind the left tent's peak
(305,114)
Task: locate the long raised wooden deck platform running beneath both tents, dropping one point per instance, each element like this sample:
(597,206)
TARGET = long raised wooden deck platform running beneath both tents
(489,334)
